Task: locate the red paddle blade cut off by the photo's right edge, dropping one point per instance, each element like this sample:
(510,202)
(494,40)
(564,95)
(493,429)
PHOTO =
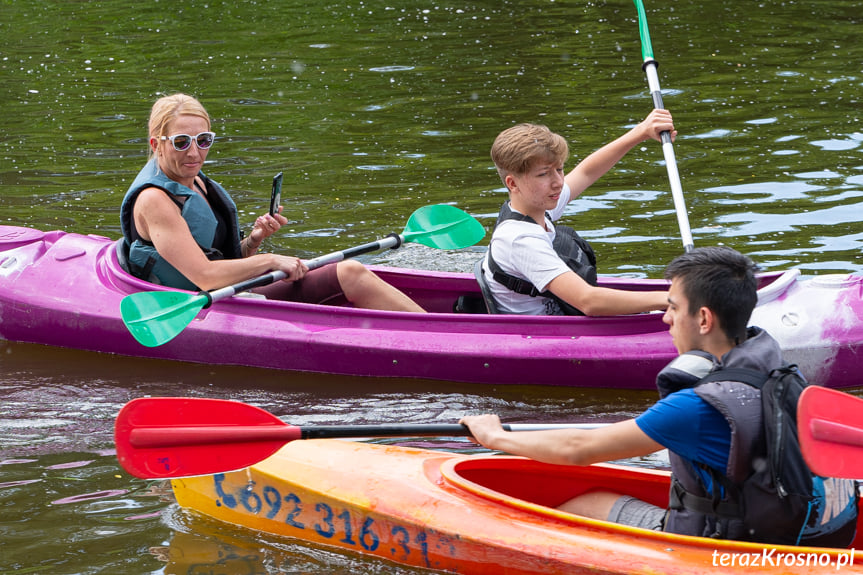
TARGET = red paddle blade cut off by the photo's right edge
(830,428)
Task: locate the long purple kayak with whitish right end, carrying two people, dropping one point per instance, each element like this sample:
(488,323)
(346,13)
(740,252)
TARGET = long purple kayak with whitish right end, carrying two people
(64,289)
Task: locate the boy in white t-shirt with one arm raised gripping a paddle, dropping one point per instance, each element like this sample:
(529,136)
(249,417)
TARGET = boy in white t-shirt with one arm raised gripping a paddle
(529,159)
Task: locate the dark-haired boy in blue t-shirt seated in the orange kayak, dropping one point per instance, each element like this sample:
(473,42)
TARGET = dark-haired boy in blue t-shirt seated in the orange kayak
(711,431)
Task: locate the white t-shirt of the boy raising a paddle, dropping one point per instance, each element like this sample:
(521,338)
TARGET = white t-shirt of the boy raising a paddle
(525,250)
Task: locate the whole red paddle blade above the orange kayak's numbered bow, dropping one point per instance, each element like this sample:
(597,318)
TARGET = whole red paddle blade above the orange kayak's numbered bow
(161,437)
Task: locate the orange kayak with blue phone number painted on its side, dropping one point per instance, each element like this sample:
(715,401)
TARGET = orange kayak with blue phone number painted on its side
(472,514)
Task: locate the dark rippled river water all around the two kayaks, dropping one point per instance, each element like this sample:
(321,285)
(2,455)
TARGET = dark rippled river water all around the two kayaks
(373,110)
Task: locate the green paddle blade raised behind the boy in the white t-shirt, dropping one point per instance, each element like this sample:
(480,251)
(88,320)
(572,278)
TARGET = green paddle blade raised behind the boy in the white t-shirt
(443,227)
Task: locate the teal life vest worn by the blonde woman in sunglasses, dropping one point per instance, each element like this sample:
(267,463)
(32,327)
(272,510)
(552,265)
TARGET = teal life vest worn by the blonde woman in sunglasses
(144,261)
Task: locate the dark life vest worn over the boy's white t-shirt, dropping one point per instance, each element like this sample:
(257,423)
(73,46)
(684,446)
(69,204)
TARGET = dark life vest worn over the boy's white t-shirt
(574,250)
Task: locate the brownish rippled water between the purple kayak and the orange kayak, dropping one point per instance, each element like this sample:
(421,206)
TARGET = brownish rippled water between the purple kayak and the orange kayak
(69,508)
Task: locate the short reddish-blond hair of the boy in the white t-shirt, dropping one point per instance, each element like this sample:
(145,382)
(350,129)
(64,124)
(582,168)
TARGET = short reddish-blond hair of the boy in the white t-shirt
(517,148)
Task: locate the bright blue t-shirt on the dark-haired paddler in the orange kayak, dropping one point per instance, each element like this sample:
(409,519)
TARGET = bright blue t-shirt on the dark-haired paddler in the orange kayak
(684,423)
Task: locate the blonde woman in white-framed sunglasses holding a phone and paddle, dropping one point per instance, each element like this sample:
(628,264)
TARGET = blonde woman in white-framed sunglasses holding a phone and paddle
(182,230)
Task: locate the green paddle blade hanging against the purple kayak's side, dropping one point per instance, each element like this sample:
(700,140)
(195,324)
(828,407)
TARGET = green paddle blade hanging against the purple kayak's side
(157,317)
